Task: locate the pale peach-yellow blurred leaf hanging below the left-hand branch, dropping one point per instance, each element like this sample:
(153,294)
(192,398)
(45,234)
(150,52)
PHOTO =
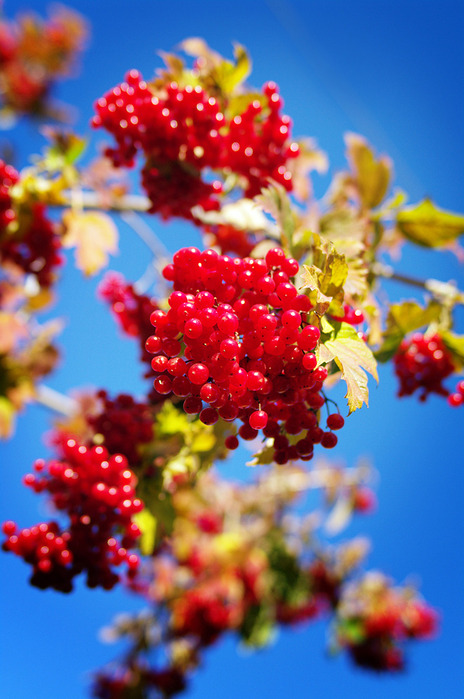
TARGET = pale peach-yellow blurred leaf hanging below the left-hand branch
(94,235)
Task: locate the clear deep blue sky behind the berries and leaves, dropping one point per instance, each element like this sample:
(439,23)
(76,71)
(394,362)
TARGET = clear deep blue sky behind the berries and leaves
(393,71)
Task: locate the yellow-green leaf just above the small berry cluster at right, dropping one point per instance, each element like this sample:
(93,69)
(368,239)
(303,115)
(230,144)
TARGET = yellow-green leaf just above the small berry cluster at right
(402,319)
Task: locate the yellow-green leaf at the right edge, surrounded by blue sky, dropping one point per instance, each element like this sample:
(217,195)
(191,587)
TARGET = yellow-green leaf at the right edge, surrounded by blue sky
(429,226)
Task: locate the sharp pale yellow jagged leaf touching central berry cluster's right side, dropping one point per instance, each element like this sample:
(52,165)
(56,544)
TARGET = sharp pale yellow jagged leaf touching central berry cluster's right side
(353,357)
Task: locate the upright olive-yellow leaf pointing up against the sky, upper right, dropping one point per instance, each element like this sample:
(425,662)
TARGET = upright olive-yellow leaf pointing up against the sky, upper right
(372,175)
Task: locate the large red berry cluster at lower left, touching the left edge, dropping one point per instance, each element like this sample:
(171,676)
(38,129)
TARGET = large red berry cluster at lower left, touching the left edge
(97,493)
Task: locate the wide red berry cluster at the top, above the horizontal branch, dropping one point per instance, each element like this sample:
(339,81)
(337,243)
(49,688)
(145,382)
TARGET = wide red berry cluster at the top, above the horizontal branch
(183,134)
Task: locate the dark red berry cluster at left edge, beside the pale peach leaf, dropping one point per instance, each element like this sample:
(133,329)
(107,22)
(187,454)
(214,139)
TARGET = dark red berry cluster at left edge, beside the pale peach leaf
(34,248)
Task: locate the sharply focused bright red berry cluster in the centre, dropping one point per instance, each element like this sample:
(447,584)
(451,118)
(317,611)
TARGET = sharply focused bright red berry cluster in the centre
(248,350)
